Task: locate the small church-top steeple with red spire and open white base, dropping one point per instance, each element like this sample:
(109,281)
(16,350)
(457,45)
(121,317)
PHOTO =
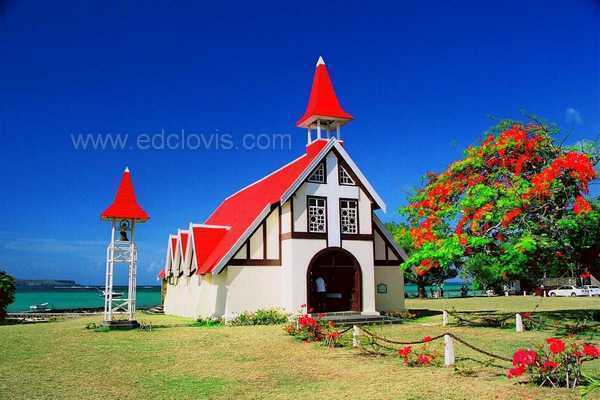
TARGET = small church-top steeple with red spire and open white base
(323,114)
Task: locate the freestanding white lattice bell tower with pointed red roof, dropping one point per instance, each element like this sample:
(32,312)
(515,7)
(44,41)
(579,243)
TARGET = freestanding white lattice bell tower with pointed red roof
(123,215)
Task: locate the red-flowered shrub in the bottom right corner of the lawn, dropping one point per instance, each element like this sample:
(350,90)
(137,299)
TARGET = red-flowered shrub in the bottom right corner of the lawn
(556,364)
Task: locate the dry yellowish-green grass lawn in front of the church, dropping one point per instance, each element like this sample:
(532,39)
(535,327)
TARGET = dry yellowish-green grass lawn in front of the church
(63,360)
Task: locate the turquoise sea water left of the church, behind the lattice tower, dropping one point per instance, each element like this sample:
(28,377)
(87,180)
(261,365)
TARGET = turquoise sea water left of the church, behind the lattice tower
(60,299)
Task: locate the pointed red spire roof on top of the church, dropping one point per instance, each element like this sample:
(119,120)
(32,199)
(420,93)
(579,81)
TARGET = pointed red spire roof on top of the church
(323,103)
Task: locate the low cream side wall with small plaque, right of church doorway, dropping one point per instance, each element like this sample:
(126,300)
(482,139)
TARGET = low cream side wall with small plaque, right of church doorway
(393,279)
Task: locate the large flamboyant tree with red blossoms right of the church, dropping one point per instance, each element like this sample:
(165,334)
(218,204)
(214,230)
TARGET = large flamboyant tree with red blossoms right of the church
(514,207)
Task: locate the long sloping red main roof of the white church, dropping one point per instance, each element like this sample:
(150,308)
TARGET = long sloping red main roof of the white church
(240,210)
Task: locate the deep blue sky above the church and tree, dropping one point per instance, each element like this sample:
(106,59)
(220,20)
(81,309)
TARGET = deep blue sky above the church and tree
(422,80)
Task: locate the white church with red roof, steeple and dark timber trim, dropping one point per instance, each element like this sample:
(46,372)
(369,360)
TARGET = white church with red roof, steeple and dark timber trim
(306,234)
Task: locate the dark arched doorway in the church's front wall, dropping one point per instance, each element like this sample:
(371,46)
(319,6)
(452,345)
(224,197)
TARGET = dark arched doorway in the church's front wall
(334,282)
